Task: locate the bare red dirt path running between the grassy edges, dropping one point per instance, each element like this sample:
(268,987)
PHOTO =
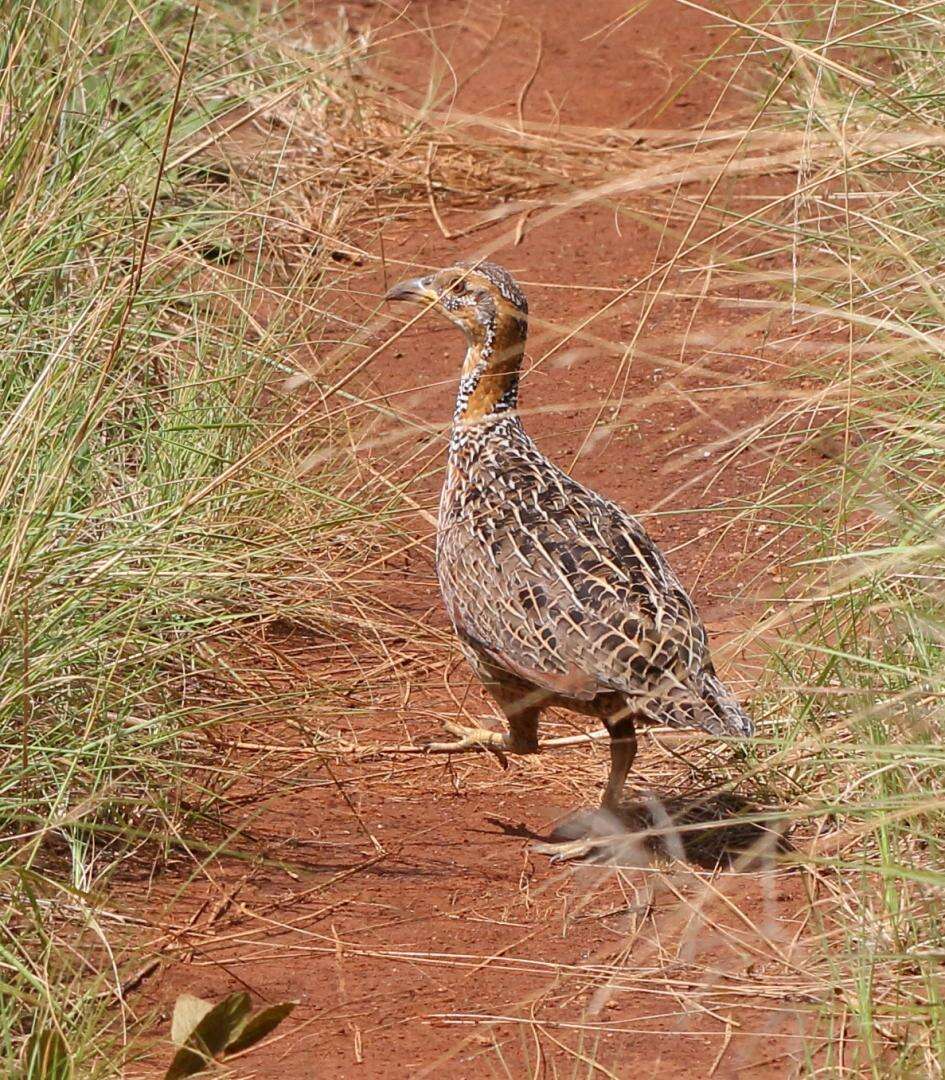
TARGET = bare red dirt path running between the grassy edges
(412,922)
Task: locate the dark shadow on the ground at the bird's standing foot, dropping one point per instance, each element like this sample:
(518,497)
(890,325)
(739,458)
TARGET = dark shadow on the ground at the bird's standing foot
(705,829)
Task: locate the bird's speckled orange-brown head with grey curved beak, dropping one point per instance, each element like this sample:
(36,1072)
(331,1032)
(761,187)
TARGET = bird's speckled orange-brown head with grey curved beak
(481,299)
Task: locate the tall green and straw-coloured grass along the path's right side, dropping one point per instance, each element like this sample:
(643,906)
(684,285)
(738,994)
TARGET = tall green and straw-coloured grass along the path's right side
(859,671)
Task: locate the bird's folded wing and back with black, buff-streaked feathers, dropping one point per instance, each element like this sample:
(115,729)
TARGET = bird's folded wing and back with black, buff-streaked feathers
(565,589)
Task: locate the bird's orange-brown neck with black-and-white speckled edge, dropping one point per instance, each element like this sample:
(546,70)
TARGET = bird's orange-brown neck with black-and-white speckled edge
(490,383)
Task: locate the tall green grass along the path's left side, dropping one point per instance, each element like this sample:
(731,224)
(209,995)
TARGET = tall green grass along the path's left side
(150,508)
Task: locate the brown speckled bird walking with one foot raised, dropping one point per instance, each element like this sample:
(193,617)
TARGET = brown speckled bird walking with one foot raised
(558,596)
